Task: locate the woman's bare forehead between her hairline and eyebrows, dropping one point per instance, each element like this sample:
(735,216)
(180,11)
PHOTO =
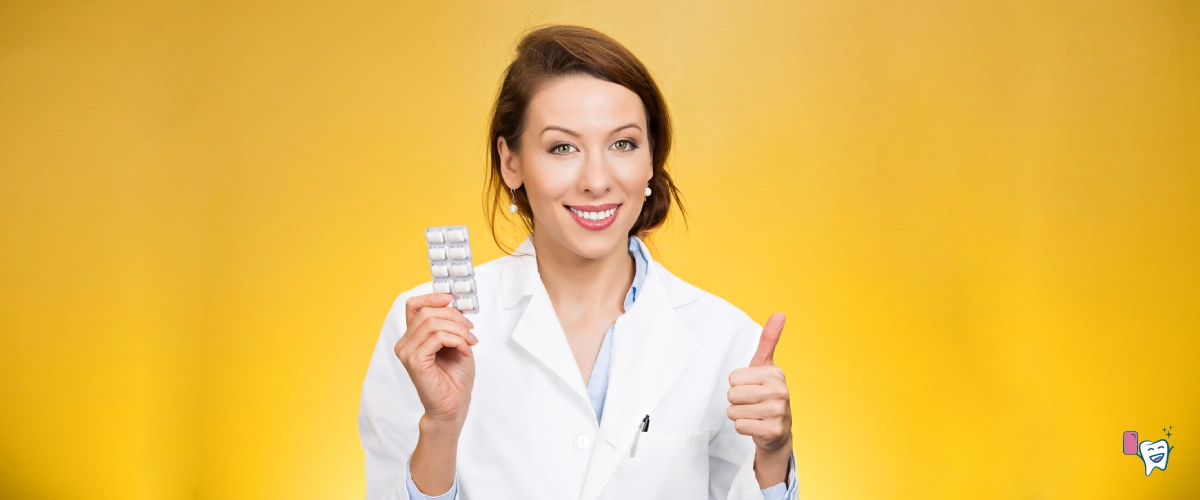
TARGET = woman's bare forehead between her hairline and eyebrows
(586,105)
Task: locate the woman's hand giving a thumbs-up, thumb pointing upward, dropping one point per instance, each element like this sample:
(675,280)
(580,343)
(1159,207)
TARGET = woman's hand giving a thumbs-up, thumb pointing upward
(759,401)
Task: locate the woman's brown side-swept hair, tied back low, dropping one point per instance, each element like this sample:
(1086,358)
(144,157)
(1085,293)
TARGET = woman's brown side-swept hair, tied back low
(553,52)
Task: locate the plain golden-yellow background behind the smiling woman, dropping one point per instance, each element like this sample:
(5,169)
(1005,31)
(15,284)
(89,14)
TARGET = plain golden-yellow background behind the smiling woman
(982,218)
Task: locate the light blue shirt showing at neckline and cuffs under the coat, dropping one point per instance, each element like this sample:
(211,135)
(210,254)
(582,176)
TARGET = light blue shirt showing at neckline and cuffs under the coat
(598,387)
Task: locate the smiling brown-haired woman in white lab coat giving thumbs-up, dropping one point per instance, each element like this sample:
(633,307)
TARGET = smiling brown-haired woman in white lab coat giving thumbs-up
(591,371)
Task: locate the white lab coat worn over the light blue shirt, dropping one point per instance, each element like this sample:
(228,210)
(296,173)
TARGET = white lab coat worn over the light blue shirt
(531,432)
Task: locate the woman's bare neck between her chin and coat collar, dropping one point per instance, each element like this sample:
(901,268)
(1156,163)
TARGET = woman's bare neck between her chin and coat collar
(581,285)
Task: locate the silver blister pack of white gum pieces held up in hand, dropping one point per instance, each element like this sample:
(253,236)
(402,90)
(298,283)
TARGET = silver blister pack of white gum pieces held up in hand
(451,266)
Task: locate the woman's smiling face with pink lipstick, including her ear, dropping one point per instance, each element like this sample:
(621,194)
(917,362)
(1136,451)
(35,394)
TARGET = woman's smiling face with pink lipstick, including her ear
(585,162)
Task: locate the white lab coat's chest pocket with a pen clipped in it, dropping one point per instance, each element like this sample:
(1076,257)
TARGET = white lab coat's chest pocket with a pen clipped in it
(664,466)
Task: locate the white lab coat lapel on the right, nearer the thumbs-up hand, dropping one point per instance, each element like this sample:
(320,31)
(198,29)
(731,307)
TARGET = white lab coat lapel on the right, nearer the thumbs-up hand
(651,350)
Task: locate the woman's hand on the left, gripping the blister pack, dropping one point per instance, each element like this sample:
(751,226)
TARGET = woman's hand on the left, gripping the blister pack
(436,352)
